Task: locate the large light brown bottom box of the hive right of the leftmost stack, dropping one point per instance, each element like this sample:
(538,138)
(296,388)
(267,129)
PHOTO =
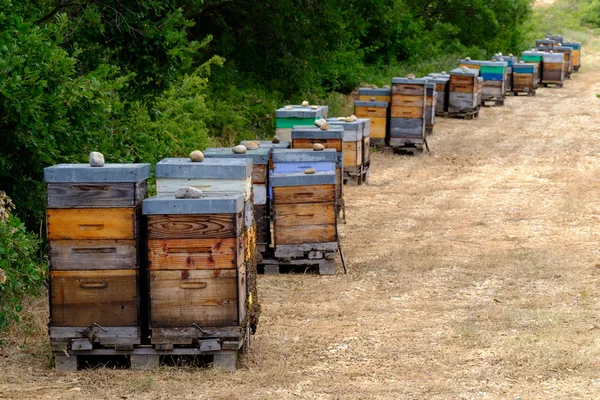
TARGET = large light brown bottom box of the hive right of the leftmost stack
(204,297)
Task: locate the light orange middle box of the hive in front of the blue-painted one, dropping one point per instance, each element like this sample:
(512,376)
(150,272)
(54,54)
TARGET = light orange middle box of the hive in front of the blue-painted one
(286,215)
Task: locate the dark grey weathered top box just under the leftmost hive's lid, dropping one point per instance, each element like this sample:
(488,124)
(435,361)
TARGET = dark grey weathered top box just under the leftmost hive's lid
(95,195)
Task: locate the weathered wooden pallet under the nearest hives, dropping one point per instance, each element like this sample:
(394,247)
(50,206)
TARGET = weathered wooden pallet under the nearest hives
(220,352)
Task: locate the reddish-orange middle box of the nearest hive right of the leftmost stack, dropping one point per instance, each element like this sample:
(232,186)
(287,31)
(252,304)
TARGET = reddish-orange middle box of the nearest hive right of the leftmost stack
(181,254)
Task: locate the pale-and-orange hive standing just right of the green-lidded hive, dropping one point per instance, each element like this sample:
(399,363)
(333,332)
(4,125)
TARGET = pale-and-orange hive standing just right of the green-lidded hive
(357,144)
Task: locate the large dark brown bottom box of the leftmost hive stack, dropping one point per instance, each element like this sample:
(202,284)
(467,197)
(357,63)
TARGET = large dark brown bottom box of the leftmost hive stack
(80,298)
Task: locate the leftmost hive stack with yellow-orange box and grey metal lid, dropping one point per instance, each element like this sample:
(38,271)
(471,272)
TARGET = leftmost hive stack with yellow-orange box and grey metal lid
(93,224)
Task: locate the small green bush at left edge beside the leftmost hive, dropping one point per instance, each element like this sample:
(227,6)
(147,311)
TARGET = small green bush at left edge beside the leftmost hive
(21,269)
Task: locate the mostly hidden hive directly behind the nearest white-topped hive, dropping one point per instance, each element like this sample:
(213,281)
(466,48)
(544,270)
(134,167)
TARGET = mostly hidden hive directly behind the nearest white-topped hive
(260,176)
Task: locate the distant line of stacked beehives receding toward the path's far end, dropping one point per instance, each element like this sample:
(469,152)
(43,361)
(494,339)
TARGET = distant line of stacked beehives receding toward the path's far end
(403,115)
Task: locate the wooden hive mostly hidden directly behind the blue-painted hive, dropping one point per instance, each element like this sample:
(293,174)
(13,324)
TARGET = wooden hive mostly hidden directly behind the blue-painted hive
(306,137)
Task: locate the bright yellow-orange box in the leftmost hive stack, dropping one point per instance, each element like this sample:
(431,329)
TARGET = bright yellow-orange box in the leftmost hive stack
(91,223)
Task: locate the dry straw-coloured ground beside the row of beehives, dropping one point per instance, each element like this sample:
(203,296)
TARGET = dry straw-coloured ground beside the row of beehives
(474,274)
